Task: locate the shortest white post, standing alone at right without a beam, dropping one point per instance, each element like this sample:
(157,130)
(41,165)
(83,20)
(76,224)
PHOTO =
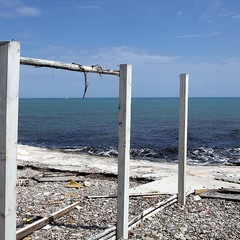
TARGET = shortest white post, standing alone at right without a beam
(183,120)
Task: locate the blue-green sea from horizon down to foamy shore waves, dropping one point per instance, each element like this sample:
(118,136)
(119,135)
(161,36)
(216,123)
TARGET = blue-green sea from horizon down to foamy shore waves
(90,125)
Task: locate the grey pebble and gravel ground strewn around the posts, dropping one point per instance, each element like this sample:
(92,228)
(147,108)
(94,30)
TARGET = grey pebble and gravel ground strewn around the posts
(203,219)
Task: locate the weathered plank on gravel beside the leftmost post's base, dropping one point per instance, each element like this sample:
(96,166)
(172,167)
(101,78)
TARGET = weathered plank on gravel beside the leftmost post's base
(21,233)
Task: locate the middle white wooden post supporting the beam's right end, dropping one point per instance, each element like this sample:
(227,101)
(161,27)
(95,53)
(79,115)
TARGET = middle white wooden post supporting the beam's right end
(124,150)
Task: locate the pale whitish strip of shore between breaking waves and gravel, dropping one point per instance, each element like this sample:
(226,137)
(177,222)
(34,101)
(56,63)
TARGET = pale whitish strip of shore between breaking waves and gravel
(86,164)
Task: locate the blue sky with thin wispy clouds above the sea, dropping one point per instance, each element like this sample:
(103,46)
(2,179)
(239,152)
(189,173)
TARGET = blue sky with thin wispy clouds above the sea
(160,39)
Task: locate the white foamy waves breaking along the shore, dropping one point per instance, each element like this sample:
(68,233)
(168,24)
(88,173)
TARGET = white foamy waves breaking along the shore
(200,156)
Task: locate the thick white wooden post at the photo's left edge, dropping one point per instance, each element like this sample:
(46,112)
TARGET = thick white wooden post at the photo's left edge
(9,88)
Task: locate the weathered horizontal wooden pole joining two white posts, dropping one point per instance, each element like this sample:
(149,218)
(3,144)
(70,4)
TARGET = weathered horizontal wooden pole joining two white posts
(67,66)
